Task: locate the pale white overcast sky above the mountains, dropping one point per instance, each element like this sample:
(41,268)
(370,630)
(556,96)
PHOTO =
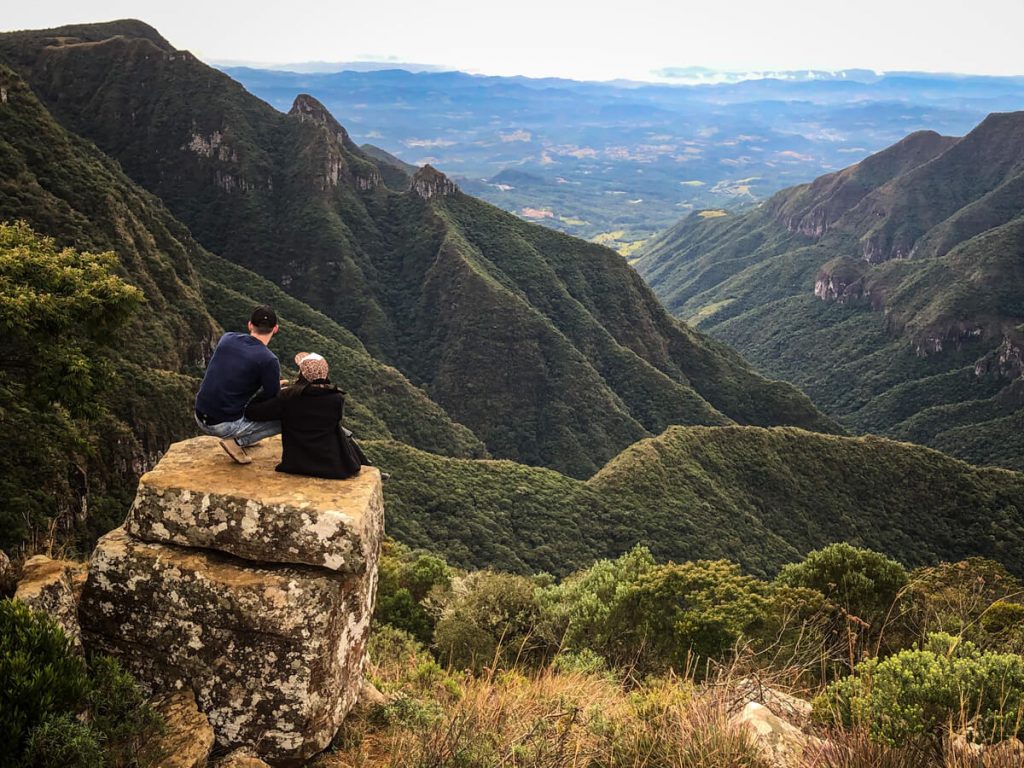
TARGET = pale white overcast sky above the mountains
(585,40)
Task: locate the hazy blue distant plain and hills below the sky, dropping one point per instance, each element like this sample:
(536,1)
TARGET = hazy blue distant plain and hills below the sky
(619,162)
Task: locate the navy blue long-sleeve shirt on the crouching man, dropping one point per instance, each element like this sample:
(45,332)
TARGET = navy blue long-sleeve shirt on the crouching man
(241,367)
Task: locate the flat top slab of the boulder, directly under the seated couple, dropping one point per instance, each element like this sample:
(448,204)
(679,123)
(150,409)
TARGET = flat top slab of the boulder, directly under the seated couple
(198,497)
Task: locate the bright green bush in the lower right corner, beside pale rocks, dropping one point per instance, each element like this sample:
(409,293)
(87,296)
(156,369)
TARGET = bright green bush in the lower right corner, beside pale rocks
(949,684)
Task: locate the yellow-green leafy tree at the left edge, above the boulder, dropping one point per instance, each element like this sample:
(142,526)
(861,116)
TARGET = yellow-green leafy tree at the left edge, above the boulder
(59,310)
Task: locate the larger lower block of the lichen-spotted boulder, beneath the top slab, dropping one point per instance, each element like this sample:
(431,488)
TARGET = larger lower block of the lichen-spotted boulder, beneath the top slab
(274,654)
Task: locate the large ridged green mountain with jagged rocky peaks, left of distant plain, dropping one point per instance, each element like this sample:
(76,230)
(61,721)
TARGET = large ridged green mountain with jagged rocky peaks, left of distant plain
(552,351)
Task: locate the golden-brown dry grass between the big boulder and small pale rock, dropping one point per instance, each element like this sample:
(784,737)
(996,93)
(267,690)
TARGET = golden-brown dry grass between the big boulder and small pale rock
(546,719)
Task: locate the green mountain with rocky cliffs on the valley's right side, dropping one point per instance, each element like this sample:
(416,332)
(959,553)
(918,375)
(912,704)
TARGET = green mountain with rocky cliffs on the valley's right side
(892,292)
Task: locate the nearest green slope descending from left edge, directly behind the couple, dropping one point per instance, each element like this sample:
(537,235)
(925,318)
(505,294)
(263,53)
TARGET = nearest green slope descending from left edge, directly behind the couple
(65,188)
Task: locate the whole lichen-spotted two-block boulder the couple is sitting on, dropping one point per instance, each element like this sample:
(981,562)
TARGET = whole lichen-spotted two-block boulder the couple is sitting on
(253,589)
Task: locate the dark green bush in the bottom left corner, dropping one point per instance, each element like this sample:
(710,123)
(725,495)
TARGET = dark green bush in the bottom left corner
(40,676)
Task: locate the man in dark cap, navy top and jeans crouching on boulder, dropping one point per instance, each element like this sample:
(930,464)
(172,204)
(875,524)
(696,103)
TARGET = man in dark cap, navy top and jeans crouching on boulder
(242,367)
